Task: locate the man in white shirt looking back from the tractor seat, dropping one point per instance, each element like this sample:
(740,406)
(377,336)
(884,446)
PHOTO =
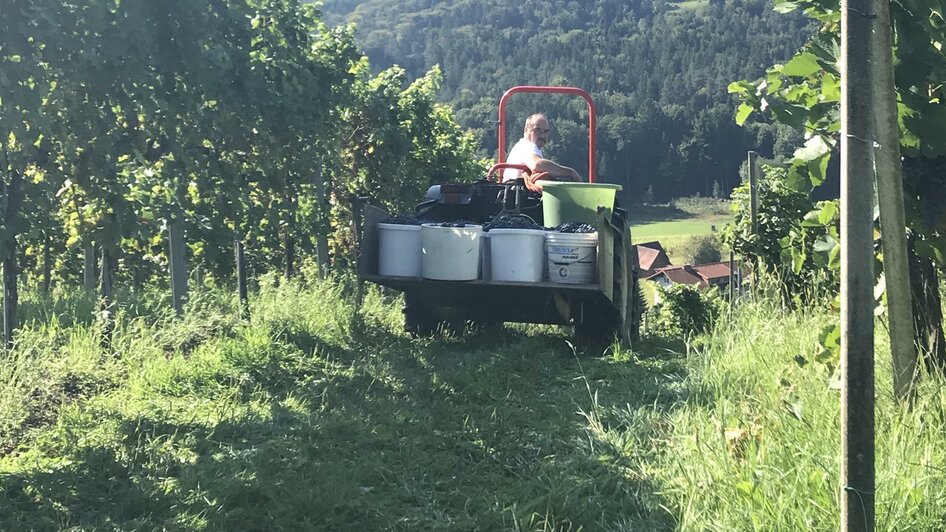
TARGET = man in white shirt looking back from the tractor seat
(528,151)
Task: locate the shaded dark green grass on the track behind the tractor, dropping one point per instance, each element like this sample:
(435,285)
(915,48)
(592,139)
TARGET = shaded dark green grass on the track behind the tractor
(486,432)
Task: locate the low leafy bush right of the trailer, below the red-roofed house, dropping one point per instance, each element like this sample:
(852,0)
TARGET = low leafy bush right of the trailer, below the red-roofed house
(685,310)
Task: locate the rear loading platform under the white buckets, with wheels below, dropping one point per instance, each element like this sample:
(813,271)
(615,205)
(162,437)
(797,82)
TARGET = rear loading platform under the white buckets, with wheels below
(606,308)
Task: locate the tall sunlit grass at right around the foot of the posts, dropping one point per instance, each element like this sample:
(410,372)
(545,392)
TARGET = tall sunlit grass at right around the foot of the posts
(777,468)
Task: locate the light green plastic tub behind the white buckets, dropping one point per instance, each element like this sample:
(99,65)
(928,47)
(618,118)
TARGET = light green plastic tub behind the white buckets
(575,202)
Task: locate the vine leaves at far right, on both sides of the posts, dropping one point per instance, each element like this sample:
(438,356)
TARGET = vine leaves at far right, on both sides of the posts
(805,93)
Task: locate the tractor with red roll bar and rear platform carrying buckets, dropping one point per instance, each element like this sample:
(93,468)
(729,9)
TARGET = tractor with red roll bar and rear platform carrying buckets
(606,308)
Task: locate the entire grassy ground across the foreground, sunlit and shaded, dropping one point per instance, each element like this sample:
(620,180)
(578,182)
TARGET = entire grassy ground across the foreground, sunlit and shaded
(315,416)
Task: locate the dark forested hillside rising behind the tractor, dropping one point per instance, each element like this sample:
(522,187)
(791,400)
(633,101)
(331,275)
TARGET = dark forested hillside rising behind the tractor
(657,70)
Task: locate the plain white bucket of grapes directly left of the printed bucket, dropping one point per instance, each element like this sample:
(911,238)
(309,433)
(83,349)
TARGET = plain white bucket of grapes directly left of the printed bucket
(517,254)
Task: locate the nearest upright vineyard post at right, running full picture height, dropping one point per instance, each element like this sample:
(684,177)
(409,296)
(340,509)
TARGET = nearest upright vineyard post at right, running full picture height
(857,279)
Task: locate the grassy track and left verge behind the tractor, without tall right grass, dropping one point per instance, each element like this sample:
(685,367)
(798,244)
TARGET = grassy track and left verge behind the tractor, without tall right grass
(305,420)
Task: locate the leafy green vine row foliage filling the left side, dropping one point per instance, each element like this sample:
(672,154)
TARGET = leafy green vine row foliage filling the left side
(244,119)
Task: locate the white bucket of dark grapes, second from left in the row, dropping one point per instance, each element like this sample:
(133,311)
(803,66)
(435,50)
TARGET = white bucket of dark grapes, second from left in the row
(450,253)
